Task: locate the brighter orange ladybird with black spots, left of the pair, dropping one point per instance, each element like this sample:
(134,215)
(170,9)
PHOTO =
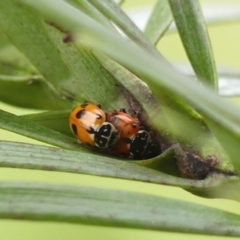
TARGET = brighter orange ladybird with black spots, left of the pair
(88,123)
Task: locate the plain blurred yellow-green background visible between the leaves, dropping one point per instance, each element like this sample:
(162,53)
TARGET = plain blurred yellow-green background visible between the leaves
(225,42)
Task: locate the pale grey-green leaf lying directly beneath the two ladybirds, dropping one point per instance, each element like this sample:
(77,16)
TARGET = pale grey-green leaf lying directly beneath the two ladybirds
(31,156)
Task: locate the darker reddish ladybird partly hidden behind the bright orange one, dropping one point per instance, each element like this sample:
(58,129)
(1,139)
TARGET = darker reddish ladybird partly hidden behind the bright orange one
(133,140)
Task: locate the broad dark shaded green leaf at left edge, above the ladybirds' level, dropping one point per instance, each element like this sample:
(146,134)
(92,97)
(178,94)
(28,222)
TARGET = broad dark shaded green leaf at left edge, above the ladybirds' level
(30,92)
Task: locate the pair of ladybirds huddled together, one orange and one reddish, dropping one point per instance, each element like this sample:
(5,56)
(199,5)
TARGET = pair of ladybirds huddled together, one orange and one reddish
(115,130)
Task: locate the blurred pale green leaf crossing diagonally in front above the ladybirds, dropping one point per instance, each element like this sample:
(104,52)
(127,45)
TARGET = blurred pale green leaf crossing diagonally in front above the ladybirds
(157,73)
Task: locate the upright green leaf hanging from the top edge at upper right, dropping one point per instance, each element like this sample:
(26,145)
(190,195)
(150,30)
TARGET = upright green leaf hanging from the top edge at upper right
(193,32)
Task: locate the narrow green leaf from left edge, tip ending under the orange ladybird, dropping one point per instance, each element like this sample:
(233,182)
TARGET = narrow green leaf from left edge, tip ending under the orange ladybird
(32,130)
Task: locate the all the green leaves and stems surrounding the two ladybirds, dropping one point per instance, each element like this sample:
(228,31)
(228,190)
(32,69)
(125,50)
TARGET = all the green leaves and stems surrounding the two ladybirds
(67,52)
